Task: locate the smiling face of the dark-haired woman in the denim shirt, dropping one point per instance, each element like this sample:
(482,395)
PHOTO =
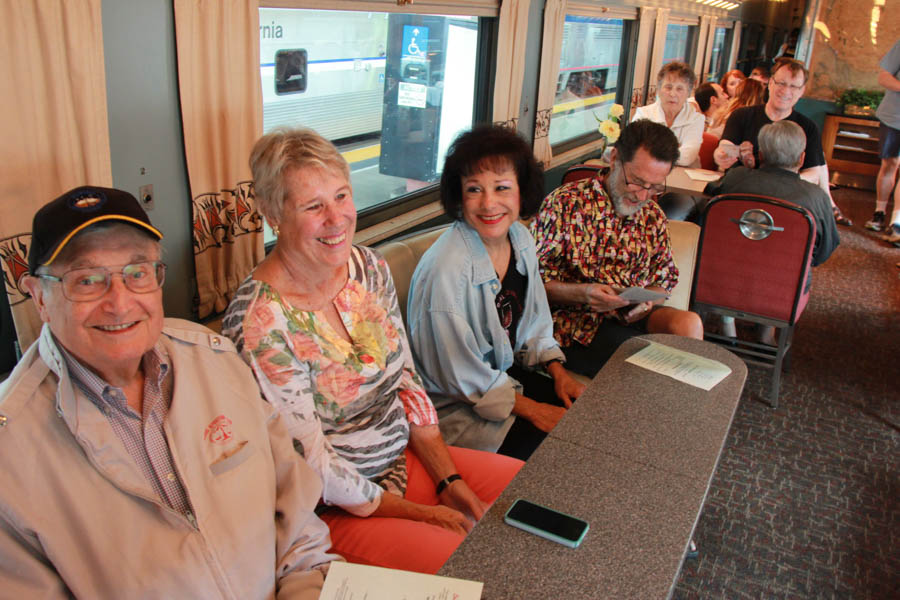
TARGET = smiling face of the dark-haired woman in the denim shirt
(491,201)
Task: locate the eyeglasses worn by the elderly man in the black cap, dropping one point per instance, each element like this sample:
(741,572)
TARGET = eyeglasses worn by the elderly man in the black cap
(83,285)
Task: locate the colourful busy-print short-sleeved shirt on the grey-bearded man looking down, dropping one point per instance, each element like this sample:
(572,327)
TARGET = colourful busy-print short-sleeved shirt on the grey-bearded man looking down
(581,239)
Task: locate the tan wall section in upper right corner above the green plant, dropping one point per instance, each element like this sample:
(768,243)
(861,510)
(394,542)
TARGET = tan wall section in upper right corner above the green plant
(858,39)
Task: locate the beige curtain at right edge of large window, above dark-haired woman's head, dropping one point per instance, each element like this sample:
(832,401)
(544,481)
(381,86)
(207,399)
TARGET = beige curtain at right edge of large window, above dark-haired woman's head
(508,81)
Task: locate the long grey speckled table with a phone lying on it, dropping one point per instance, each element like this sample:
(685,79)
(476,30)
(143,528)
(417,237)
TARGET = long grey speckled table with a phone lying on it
(634,457)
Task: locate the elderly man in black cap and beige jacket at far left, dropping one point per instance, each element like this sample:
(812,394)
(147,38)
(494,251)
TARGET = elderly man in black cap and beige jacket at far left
(139,459)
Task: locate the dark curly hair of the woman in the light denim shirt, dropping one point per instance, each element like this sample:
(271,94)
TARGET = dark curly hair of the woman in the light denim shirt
(484,147)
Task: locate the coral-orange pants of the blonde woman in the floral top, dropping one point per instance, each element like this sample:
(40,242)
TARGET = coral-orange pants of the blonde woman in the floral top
(415,545)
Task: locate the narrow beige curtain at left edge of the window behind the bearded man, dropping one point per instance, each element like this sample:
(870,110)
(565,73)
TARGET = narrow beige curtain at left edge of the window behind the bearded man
(554,19)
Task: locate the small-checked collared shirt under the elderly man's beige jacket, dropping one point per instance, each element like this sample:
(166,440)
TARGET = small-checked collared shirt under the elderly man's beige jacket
(142,435)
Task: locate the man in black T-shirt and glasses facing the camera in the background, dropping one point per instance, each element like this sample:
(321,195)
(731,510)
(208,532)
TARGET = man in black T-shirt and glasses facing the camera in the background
(740,139)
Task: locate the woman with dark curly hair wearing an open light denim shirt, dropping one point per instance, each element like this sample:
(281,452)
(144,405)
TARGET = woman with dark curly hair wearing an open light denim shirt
(479,322)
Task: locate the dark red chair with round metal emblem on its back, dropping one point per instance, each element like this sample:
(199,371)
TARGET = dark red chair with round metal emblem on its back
(753,264)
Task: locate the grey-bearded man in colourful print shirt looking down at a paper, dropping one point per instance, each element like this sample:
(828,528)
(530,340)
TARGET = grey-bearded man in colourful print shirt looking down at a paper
(597,237)
